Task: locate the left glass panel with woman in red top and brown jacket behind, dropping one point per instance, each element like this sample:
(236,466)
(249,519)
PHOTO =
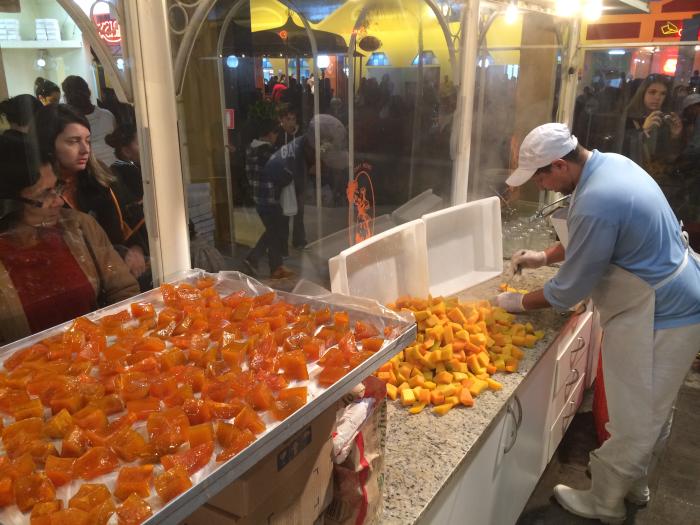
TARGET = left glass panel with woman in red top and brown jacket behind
(72,234)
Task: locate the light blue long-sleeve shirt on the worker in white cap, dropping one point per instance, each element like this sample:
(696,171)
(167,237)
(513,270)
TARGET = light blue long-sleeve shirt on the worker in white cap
(620,216)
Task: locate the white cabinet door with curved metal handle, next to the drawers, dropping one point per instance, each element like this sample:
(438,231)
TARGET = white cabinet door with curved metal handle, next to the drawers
(523,456)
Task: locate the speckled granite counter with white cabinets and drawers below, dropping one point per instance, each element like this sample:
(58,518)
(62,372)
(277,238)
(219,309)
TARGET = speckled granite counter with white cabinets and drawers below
(480,464)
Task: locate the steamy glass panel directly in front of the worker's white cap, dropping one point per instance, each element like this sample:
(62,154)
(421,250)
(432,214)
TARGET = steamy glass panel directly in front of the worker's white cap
(518,82)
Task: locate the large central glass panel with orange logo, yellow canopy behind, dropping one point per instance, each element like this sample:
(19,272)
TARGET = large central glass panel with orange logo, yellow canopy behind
(381,155)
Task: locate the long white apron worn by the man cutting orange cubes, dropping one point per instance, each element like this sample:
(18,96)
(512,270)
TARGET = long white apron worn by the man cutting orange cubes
(642,368)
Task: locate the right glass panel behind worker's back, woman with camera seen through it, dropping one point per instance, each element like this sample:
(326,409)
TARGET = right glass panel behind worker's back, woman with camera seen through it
(644,103)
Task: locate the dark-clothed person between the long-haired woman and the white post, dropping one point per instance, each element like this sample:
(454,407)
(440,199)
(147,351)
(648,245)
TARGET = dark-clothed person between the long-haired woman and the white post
(128,193)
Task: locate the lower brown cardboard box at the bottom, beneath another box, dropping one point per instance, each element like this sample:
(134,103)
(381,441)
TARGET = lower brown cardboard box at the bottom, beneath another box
(316,486)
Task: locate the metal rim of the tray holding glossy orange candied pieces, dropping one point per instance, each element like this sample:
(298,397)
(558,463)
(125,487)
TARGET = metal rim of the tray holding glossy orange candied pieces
(225,473)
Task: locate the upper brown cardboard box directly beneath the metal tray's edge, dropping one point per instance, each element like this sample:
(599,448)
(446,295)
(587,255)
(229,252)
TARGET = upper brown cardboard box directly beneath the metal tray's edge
(285,468)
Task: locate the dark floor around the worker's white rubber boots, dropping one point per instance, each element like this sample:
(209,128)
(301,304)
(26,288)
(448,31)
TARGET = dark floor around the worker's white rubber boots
(675,485)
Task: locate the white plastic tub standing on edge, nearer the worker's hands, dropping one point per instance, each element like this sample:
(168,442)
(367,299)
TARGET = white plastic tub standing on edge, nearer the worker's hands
(464,245)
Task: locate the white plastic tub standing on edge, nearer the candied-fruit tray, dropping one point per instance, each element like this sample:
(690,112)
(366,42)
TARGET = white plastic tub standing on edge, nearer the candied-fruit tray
(384,267)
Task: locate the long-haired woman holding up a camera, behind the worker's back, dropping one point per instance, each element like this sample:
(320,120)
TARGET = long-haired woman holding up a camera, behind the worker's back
(649,132)
